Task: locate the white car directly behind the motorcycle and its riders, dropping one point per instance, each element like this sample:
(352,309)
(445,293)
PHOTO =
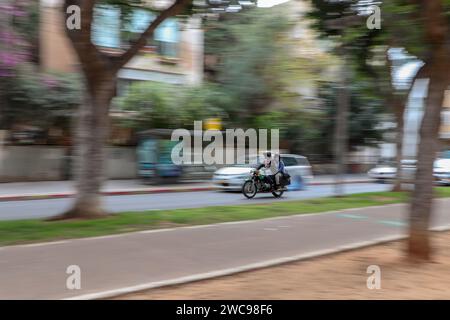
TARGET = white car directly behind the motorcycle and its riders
(232,178)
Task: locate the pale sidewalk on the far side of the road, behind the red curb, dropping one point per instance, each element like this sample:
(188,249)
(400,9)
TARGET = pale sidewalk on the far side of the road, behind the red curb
(15,191)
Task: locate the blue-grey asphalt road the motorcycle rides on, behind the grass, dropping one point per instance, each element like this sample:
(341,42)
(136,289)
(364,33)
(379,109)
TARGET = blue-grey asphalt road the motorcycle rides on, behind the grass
(34,209)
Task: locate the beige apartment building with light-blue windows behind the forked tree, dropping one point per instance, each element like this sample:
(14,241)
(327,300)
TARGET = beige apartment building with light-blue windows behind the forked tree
(173,55)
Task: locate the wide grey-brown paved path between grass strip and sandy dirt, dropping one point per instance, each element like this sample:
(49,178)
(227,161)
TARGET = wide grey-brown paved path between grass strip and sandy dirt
(114,264)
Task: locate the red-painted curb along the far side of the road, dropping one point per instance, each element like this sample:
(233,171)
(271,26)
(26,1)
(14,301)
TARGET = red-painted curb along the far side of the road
(137,192)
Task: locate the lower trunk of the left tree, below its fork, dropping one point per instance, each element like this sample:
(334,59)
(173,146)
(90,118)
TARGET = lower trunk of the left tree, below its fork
(90,137)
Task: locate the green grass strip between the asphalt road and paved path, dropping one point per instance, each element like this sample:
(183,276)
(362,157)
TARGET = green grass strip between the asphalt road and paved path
(28,231)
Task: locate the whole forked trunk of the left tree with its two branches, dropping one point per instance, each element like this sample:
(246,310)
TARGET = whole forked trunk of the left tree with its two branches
(100,71)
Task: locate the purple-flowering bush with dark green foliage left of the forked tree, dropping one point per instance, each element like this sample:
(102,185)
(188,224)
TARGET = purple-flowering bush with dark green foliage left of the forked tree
(29,96)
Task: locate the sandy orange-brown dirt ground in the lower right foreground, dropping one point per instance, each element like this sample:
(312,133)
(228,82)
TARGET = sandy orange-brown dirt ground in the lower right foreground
(339,276)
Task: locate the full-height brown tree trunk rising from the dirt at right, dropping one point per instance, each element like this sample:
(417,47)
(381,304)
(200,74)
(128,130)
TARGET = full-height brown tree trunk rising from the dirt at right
(436,35)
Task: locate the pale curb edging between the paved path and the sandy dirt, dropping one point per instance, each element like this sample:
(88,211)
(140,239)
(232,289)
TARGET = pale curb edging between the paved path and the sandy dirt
(245,268)
